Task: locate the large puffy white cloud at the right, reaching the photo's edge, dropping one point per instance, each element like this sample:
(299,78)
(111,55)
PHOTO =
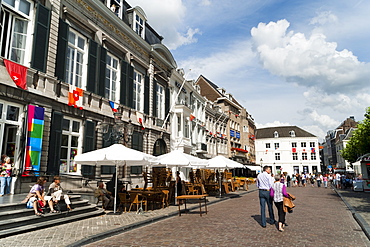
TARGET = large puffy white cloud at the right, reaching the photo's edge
(310,62)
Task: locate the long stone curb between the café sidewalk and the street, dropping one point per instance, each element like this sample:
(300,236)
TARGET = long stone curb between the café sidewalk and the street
(119,230)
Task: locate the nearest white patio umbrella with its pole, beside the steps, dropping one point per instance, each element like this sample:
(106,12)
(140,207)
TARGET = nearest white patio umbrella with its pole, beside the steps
(117,155)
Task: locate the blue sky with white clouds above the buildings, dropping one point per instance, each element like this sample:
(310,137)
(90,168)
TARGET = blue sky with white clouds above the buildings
(302,63)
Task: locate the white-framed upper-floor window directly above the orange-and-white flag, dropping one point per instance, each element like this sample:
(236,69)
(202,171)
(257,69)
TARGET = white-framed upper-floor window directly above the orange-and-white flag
(75,50)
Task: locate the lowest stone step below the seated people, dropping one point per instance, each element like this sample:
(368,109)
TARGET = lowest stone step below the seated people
(63,218)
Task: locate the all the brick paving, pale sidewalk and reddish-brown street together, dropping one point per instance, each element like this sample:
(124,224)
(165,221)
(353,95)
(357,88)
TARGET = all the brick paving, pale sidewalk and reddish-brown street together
(320,219)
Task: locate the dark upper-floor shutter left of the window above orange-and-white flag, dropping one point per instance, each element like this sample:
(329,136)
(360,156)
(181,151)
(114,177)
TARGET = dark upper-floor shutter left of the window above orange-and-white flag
(60,68)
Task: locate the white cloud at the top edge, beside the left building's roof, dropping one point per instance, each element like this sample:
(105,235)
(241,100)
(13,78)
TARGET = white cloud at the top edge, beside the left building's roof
(168,22)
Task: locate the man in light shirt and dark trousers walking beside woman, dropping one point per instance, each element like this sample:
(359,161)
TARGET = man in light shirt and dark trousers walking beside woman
(264,183)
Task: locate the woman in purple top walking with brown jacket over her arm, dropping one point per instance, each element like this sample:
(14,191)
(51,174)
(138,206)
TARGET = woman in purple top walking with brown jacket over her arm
(277,192)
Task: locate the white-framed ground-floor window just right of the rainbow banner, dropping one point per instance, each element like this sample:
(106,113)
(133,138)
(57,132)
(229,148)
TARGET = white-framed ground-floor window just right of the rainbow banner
(70,133)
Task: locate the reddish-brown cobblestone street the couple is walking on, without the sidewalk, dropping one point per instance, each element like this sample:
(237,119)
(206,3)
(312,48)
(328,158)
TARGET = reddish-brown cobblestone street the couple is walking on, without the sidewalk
(320,219)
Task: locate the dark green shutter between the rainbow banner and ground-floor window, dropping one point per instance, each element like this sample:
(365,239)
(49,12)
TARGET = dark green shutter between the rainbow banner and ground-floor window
(55,142)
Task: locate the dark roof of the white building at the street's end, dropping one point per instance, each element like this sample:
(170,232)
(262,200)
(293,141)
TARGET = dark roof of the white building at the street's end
(283,131)
